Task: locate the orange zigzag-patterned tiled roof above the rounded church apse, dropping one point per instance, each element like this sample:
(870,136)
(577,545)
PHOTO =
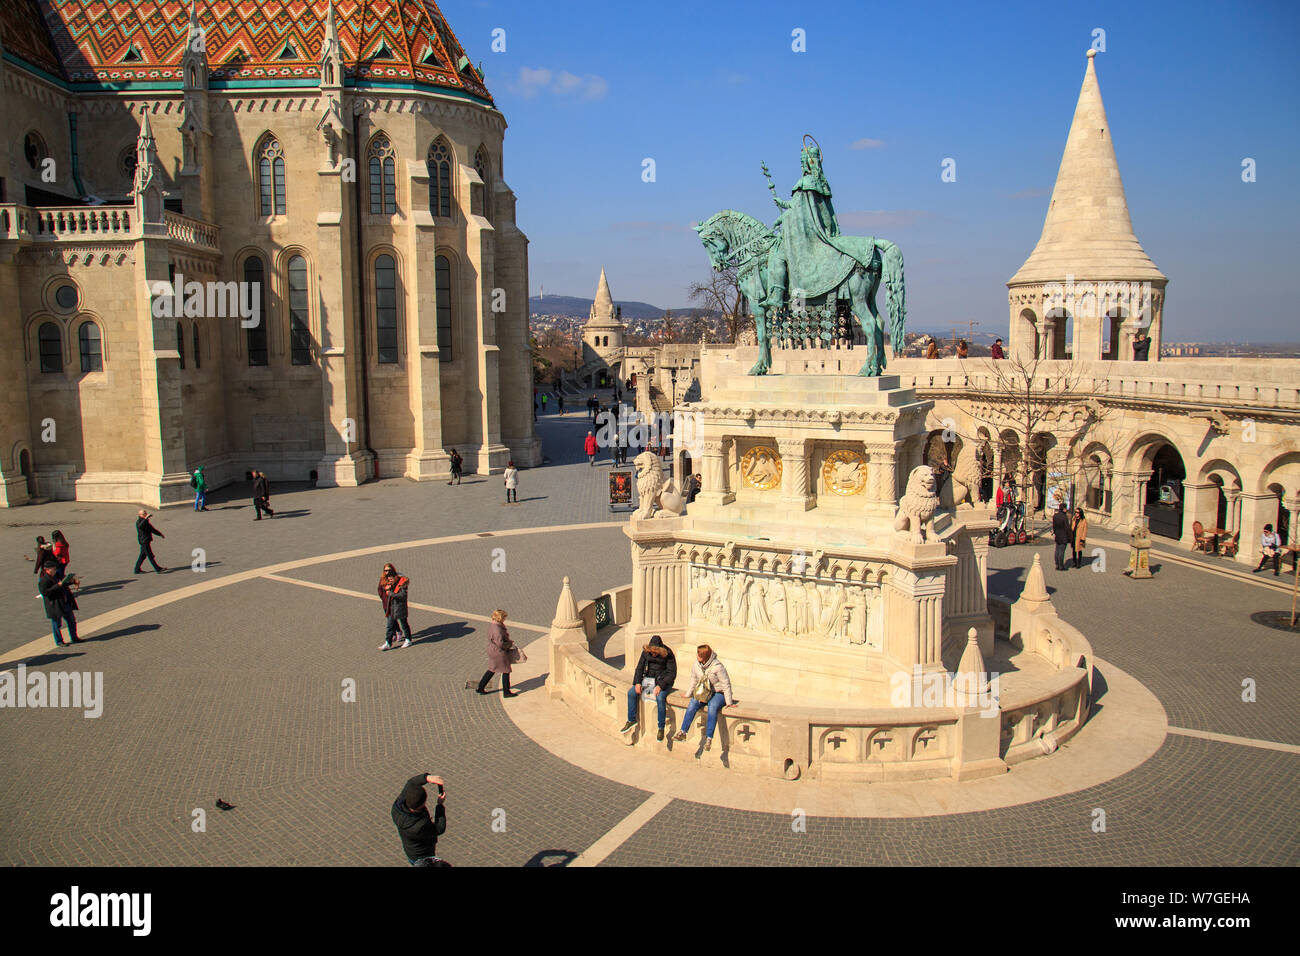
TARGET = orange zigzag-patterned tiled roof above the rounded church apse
(128,42)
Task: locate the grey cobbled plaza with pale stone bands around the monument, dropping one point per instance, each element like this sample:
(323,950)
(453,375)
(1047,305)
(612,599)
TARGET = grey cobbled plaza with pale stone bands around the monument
(231,682)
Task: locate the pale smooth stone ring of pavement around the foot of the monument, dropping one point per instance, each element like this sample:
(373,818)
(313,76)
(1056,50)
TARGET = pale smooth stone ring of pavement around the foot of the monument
(1128,726)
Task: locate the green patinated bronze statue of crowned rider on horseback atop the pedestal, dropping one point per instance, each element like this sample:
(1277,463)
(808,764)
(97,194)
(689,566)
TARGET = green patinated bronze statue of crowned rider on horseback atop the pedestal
(796,274)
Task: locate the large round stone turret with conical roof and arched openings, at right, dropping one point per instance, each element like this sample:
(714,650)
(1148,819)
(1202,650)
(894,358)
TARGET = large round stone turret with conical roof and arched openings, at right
(1087,284)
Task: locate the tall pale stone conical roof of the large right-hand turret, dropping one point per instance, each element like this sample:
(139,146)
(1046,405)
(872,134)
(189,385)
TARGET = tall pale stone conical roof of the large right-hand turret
(1087,232)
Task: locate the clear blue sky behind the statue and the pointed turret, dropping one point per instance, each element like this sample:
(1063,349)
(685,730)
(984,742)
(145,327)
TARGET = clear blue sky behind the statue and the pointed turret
(708,90)
